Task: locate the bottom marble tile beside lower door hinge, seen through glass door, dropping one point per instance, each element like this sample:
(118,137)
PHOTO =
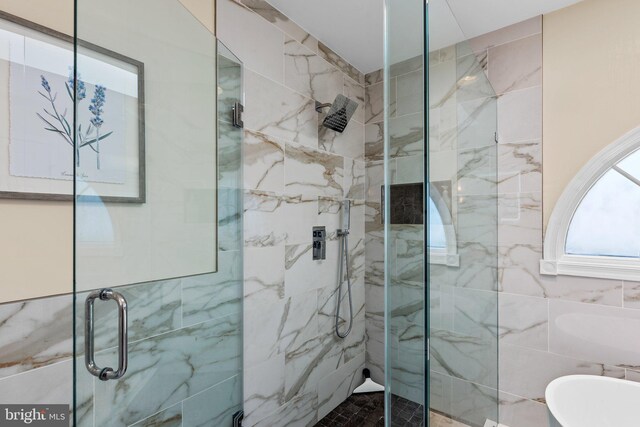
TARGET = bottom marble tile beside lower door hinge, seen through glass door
(198,410)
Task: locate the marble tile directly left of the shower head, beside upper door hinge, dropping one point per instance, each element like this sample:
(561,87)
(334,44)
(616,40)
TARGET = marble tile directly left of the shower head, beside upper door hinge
(276,110)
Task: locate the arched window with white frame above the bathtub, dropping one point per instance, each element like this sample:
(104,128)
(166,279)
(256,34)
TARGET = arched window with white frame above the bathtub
(594,230)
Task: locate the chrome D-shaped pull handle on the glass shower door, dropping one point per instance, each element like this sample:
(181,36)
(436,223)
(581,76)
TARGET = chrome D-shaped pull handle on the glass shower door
(106,374)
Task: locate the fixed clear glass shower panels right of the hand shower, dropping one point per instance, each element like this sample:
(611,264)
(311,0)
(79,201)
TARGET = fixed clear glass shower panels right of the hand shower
(441,219)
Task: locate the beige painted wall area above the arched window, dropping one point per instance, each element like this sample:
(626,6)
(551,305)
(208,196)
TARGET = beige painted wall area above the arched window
(591,86)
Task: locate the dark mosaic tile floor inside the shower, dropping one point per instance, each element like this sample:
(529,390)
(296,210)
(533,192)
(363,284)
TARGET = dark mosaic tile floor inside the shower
(367,410)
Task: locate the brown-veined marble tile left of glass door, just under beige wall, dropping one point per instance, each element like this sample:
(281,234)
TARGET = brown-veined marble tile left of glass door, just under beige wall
(35,333)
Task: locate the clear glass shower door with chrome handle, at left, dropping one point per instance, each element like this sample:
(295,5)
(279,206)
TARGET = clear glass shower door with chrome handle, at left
(158,216)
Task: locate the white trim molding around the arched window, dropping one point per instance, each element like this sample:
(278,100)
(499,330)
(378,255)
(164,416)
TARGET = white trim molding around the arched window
(555,261)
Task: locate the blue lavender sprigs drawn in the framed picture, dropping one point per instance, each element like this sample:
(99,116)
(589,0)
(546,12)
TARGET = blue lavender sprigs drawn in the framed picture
(57,122)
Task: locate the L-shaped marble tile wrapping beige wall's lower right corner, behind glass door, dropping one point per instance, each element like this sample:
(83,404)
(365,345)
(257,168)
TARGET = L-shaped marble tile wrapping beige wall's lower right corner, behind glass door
(210,296)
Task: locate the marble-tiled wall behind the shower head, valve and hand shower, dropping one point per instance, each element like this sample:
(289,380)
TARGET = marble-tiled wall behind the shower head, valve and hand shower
(296,173)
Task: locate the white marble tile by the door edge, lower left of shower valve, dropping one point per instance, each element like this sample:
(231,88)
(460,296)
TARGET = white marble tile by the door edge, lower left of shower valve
(263,276)
